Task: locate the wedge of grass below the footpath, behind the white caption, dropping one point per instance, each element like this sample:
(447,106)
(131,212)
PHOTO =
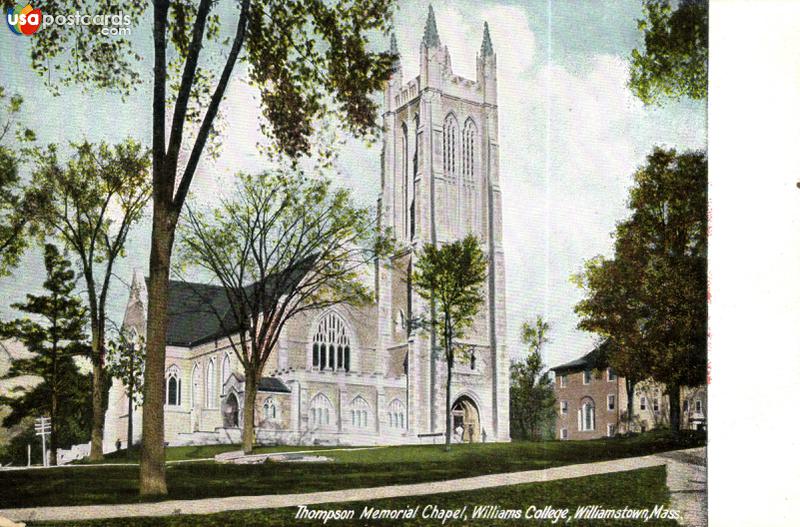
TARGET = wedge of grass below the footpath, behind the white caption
(636,489)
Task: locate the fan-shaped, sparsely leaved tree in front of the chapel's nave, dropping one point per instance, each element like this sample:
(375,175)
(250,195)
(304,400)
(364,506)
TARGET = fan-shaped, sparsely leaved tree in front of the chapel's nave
(282,245)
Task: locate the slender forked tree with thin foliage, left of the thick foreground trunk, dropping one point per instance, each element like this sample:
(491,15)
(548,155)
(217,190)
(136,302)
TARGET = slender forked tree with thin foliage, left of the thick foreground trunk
(96,197)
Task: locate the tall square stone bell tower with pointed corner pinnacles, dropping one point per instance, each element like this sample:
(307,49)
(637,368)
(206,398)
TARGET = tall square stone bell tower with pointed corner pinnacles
(440,182)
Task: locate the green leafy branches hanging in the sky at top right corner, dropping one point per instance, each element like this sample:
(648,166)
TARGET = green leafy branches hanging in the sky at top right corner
(674,62)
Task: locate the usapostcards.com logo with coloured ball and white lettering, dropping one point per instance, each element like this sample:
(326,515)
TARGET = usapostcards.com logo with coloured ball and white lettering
(25,20)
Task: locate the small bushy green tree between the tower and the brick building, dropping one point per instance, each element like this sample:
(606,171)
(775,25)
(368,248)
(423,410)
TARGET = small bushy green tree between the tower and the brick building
(531,392)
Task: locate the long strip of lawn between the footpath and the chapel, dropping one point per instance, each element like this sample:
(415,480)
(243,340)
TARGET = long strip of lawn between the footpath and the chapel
(350,469)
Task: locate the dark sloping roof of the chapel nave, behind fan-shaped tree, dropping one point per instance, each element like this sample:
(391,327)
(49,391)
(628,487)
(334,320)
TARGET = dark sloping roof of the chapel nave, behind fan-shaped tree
(199,313)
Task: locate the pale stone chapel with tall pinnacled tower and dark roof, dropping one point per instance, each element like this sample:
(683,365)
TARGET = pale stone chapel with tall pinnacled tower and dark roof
(362,374)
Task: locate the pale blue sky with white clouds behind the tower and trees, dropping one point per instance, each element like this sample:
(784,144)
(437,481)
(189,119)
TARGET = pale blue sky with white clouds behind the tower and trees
(571,136)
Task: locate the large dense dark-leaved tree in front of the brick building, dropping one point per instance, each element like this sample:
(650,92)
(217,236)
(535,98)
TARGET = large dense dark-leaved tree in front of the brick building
(651,298)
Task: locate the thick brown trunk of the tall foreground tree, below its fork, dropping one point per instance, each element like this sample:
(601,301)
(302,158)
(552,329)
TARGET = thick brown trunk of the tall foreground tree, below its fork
(152,470)
